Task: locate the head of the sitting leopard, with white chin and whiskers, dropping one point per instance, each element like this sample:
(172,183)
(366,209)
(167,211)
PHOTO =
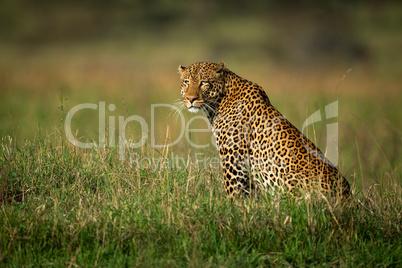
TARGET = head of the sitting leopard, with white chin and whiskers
(202,85)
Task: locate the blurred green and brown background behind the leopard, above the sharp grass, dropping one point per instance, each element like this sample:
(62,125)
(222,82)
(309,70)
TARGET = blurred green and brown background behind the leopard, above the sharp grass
(58,54)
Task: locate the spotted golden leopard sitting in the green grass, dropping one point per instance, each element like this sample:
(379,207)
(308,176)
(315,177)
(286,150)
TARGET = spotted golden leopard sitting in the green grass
(259,148)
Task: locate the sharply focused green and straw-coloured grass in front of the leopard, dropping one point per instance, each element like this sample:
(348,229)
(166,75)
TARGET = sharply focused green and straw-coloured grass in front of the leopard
(65,206)
